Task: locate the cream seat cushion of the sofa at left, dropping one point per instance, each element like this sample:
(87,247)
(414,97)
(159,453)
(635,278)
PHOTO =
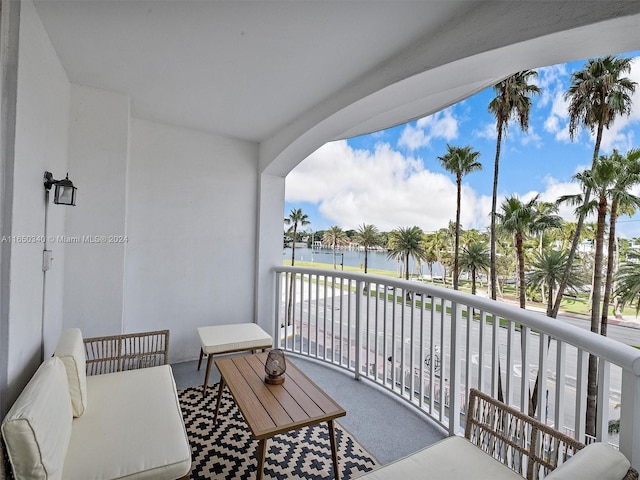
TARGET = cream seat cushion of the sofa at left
(132,427)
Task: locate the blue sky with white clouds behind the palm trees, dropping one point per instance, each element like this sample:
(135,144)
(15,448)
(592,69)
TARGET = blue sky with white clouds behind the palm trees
(393,178)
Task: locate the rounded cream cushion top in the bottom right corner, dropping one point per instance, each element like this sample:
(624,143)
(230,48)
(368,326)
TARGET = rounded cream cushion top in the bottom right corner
(597,461)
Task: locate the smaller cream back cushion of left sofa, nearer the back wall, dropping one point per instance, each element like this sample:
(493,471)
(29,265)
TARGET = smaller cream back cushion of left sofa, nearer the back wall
(70,349)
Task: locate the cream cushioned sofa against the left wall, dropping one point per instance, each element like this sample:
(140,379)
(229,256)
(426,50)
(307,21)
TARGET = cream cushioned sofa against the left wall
(69,426)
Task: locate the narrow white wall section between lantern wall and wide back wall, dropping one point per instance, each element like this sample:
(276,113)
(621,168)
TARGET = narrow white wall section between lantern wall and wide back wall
(95,238)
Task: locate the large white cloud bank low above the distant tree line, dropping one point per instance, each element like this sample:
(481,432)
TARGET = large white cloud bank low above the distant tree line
(383,188)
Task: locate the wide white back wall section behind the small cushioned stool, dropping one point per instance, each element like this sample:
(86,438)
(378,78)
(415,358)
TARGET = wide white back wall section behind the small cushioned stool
(191,229)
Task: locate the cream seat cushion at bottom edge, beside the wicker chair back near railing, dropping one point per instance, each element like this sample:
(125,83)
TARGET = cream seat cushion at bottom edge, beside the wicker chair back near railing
(451,458)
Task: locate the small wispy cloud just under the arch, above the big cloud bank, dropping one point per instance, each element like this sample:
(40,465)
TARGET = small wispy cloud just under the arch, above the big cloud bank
(442,124)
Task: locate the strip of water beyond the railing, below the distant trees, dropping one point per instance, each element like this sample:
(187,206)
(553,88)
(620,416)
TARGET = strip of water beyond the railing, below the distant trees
(355,258)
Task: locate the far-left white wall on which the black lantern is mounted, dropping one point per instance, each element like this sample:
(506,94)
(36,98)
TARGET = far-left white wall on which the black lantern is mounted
(40,144)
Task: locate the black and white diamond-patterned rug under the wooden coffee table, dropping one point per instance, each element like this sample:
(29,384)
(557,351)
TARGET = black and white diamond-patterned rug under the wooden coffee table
(227,451)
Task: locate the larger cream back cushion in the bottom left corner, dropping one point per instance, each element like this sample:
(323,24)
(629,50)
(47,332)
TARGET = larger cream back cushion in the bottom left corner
(37,428)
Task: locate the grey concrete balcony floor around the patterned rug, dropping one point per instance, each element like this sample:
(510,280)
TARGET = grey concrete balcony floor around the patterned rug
(383,424)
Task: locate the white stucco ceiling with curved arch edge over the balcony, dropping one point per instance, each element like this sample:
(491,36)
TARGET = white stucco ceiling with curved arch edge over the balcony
(274,72)
